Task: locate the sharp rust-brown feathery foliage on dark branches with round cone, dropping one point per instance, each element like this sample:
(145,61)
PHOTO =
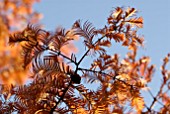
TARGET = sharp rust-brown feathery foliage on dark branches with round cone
(59,80)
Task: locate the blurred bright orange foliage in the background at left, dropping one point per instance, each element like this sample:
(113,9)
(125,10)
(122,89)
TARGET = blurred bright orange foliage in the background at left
(14,15)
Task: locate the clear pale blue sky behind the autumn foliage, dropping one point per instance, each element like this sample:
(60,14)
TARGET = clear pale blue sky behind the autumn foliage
(156,14)
